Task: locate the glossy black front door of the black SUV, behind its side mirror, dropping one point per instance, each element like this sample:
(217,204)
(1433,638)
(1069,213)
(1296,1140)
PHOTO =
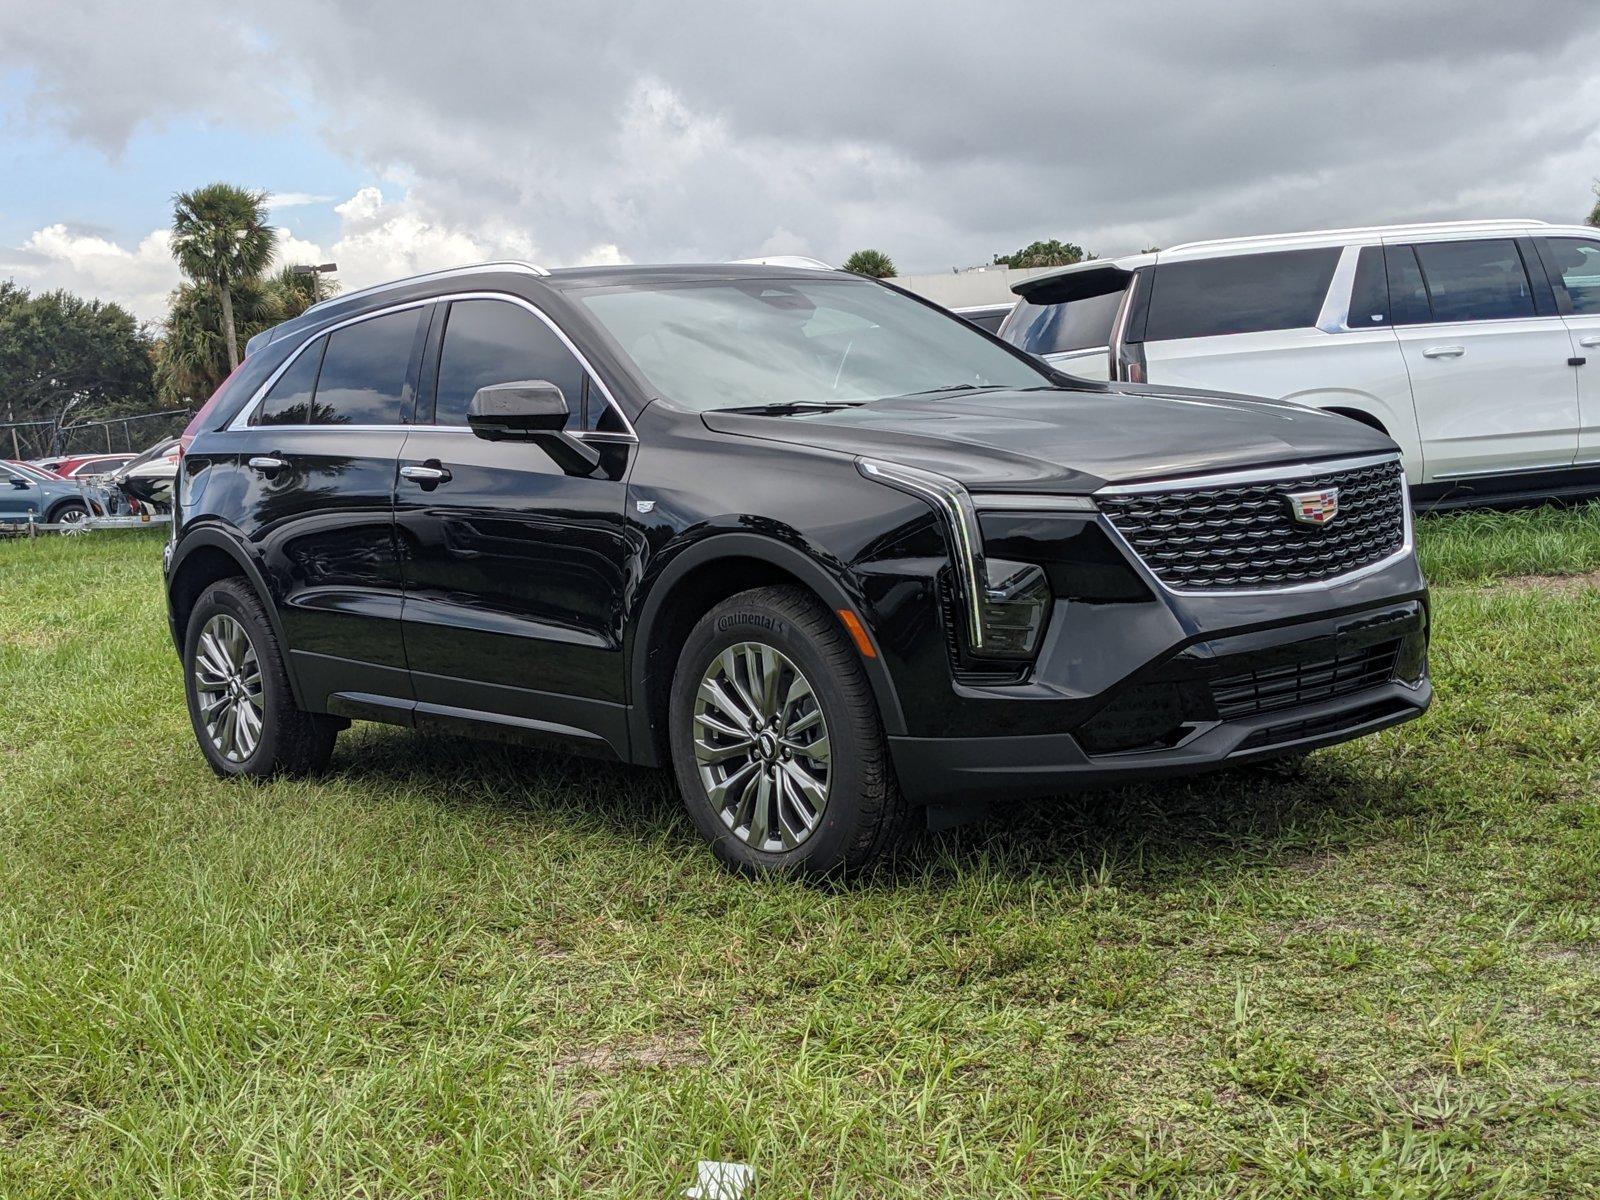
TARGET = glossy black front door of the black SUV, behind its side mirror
(514,570)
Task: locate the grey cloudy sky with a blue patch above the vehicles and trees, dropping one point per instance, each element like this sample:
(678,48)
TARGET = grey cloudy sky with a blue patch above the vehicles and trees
(401,137)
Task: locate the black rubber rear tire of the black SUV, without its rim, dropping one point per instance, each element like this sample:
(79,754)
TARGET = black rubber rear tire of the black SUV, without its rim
(290,742)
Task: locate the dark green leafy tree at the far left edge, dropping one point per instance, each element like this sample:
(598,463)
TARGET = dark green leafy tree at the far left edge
(65,354)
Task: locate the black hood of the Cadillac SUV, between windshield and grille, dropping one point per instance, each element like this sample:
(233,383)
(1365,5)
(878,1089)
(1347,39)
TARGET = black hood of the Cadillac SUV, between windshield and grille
(1066,439)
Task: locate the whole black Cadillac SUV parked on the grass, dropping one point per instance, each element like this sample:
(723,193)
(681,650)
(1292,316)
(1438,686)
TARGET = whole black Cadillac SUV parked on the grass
(826,551)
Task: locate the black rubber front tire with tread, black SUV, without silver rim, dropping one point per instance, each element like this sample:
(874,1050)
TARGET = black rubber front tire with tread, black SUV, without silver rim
(865,818)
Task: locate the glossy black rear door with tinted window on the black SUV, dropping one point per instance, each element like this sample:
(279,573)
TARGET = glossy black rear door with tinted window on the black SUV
(318,465)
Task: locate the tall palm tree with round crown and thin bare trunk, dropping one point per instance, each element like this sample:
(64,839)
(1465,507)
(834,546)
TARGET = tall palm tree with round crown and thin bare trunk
(222,239)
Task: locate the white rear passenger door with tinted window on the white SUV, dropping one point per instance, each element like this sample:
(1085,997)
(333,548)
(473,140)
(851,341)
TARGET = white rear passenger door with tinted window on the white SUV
(1487,356)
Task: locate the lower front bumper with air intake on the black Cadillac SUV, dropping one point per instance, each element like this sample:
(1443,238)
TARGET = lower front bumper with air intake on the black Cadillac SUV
(1210,703)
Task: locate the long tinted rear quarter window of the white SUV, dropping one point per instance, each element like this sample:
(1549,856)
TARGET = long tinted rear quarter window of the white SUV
(1242,294)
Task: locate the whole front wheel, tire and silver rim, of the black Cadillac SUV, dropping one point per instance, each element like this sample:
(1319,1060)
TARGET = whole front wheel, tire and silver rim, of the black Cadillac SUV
(777,740)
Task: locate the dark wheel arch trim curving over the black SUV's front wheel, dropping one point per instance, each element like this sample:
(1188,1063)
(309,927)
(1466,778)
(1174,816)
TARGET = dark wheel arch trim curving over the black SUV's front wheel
(698,578)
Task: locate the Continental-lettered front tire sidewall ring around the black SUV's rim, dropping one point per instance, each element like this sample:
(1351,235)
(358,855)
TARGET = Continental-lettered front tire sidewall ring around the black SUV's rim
(756,622)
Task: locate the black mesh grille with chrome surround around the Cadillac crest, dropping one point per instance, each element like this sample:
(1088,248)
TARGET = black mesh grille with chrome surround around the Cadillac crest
(1242,537)
